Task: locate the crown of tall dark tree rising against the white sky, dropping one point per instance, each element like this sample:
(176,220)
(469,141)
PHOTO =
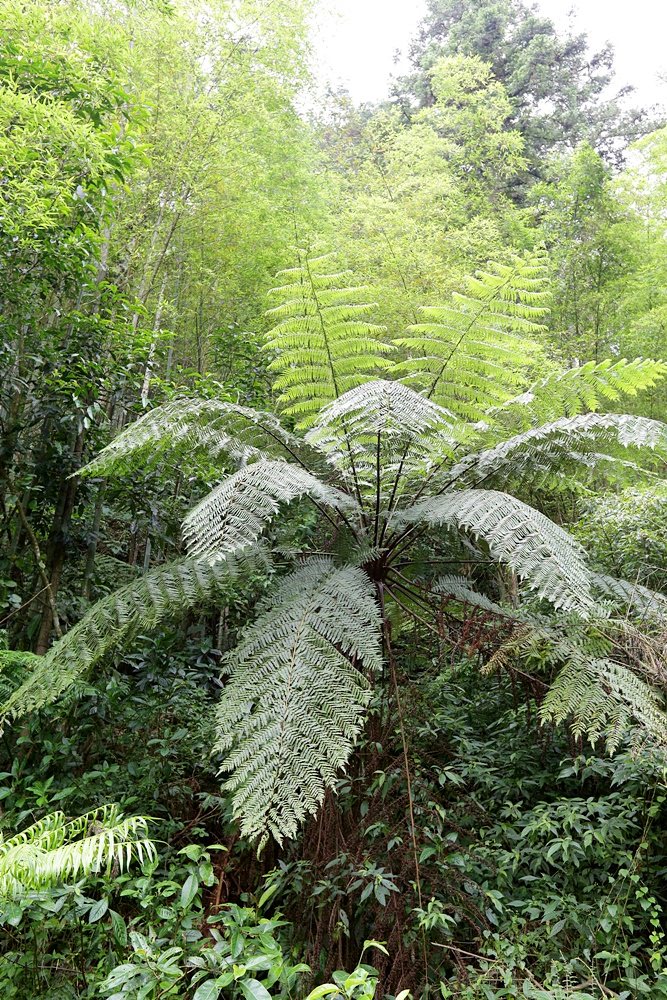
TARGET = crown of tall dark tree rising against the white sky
(557,86)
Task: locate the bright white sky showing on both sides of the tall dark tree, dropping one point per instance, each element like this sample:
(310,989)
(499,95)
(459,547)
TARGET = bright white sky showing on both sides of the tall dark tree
(356,40)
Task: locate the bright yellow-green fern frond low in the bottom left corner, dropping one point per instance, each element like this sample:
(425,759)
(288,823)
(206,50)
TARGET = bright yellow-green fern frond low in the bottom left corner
(56,849)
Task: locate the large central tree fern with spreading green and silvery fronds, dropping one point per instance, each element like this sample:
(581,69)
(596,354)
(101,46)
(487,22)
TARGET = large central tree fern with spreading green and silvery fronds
(384,461)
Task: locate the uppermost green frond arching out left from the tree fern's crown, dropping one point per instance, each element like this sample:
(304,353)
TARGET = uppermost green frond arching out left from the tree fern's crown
(186,426)
